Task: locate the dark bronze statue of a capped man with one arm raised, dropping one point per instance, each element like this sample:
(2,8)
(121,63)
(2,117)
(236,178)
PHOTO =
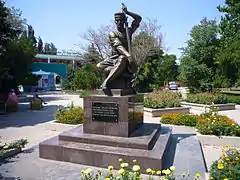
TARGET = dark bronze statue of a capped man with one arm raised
(120,65)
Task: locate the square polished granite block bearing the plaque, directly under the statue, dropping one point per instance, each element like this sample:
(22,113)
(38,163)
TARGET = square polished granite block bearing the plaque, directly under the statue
(123,114)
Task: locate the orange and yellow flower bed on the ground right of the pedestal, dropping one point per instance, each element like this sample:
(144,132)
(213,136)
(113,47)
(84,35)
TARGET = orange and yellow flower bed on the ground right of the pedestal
(208,124)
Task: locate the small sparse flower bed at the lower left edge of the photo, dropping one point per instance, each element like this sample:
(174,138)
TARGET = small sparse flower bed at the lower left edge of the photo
(12,149)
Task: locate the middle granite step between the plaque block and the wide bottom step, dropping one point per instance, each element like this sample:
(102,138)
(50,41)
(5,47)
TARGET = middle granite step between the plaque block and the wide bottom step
(142,138)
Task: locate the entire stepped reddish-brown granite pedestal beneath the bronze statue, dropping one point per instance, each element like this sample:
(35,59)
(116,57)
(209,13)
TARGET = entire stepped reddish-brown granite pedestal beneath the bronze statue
(113,128)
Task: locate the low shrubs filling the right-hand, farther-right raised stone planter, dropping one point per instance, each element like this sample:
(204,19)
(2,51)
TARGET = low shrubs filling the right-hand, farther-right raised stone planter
(207,98)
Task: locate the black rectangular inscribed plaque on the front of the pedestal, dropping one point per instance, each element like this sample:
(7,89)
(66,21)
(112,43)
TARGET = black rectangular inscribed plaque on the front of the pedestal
(106,112)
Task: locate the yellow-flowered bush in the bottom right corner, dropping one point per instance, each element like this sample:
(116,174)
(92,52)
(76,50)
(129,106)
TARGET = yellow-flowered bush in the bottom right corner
(227,166)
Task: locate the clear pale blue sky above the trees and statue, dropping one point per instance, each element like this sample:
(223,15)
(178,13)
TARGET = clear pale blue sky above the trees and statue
(62,22)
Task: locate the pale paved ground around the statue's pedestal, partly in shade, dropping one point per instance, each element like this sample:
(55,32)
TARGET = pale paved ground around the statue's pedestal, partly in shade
(36,126)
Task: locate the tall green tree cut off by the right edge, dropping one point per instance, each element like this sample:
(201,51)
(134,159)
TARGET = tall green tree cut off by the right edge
(229,51)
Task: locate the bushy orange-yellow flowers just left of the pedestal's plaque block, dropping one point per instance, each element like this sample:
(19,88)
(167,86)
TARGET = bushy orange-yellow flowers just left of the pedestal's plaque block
(72,115)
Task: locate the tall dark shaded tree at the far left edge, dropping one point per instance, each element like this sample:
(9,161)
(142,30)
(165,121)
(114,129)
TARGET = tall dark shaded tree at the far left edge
(18,44)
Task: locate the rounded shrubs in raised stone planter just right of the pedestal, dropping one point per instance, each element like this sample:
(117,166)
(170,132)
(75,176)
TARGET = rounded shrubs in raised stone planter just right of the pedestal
(162,99)
